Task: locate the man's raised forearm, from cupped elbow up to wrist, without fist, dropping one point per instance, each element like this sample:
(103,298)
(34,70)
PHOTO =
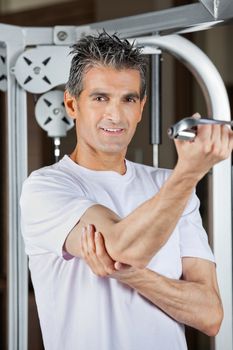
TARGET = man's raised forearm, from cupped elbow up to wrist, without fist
(149,226)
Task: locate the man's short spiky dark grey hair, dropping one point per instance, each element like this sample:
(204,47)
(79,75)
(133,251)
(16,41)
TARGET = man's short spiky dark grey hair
(106,50)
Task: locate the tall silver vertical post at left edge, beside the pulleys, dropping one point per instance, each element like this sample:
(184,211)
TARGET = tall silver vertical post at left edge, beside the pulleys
(17,171)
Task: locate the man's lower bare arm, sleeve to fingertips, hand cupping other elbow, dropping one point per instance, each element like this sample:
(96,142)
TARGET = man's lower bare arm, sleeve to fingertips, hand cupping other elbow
(193,301)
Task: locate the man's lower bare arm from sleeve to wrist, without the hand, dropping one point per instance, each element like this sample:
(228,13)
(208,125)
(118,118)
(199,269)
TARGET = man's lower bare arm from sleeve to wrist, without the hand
(193,301)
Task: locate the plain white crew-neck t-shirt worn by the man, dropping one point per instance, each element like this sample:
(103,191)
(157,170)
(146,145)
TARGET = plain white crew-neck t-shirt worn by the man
(77,309)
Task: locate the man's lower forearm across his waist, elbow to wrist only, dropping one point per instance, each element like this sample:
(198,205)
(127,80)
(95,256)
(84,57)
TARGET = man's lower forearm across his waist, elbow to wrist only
(190,303)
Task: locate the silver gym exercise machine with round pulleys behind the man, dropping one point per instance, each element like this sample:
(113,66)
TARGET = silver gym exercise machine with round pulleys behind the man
(36,60)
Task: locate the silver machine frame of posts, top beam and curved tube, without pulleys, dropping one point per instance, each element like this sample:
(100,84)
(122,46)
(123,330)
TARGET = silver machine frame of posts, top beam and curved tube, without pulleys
(188,18)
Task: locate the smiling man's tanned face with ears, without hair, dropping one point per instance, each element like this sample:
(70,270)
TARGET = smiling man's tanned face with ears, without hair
(108,109)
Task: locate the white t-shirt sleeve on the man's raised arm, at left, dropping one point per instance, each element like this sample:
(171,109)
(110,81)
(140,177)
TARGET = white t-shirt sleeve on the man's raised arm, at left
(50,208)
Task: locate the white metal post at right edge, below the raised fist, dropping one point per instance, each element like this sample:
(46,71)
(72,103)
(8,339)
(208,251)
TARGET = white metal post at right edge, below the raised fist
(222,245)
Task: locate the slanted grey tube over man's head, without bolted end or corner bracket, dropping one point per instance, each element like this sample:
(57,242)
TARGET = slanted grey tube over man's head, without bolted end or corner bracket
(188,17)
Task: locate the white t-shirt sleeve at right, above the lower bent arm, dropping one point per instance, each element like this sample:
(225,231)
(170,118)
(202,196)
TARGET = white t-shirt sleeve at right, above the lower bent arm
(193,237)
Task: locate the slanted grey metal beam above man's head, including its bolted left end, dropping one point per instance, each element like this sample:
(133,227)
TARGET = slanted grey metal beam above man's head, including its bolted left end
(181,19)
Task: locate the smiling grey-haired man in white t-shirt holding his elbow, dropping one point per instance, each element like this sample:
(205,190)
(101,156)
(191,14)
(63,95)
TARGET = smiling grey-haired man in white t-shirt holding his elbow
(118,256)
